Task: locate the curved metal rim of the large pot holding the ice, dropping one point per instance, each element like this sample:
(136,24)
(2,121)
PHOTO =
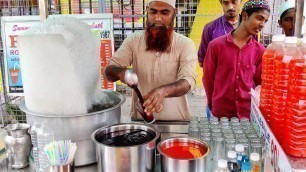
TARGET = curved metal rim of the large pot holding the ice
(22,107)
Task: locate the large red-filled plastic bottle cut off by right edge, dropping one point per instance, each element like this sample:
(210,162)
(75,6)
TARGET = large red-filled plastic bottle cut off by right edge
(294,142)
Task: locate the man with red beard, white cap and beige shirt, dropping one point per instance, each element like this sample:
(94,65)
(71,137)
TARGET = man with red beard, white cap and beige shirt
(164,62)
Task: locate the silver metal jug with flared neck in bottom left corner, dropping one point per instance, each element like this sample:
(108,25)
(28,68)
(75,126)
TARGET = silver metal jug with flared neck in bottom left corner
(18,145)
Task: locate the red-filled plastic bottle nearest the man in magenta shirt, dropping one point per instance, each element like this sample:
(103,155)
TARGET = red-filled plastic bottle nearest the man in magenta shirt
(267,74)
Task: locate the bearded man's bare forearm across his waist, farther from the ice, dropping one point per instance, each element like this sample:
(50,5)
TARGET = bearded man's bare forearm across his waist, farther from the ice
(177,89)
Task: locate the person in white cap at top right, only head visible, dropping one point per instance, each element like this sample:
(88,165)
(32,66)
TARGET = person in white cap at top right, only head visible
(287,17)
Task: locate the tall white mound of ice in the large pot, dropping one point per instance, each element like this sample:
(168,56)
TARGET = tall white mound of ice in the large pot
(60,67)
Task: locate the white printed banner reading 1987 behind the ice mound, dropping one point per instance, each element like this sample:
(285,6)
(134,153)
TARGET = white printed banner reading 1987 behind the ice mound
(12,27)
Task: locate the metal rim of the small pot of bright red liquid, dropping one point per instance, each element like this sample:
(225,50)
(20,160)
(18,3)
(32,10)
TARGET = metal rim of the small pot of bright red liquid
(185,139)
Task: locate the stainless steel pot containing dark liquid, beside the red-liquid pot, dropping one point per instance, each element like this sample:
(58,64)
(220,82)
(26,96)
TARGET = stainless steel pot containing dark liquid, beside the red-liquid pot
(138,158)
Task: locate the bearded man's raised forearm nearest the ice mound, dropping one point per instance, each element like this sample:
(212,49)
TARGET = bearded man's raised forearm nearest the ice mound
(114,73)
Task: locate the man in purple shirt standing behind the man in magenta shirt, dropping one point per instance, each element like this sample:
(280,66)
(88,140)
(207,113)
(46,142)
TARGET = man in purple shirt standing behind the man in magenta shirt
(219,27)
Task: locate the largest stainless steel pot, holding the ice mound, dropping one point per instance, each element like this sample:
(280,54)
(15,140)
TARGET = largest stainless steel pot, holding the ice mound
(79,128)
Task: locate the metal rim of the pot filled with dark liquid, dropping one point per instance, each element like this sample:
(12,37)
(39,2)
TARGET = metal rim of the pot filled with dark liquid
(93,138)
